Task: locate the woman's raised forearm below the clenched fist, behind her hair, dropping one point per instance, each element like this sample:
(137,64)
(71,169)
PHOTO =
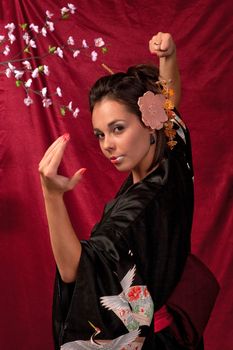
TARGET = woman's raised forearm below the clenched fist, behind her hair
(169,71)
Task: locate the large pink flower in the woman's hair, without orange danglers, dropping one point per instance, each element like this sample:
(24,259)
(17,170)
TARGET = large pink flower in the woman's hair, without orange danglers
(152,109)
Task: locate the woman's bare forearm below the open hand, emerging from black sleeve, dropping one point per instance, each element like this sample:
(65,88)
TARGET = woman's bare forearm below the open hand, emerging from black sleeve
(65,244)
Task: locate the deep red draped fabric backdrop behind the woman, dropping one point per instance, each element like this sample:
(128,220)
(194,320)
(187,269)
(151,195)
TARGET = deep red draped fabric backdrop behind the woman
(203,33)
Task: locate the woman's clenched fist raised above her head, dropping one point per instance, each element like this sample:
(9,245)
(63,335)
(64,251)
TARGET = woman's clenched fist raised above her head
(162,45)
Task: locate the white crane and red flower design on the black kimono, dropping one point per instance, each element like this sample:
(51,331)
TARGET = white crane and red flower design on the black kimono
(134,307)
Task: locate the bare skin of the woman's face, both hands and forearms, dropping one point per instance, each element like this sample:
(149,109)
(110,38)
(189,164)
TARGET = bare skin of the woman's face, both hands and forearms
(65,244)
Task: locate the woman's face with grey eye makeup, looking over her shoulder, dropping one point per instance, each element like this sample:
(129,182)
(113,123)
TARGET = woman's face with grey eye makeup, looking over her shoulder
(122,138)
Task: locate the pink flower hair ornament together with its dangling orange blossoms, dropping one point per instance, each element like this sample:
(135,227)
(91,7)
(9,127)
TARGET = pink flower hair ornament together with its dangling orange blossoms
(157,111)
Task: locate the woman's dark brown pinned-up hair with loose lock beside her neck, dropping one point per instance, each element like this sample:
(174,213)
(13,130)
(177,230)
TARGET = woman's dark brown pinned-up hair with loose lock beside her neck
(126,88)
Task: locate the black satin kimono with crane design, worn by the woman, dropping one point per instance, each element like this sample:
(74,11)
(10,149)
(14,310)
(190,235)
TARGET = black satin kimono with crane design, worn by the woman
(132,262)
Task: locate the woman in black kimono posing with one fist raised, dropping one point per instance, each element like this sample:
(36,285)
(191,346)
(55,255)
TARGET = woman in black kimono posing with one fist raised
(111,291)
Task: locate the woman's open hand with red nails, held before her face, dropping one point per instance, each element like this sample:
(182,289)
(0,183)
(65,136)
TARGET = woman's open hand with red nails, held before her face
(52,182)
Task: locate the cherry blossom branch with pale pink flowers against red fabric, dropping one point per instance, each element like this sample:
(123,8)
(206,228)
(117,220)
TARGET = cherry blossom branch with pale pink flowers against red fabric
(30,36)
